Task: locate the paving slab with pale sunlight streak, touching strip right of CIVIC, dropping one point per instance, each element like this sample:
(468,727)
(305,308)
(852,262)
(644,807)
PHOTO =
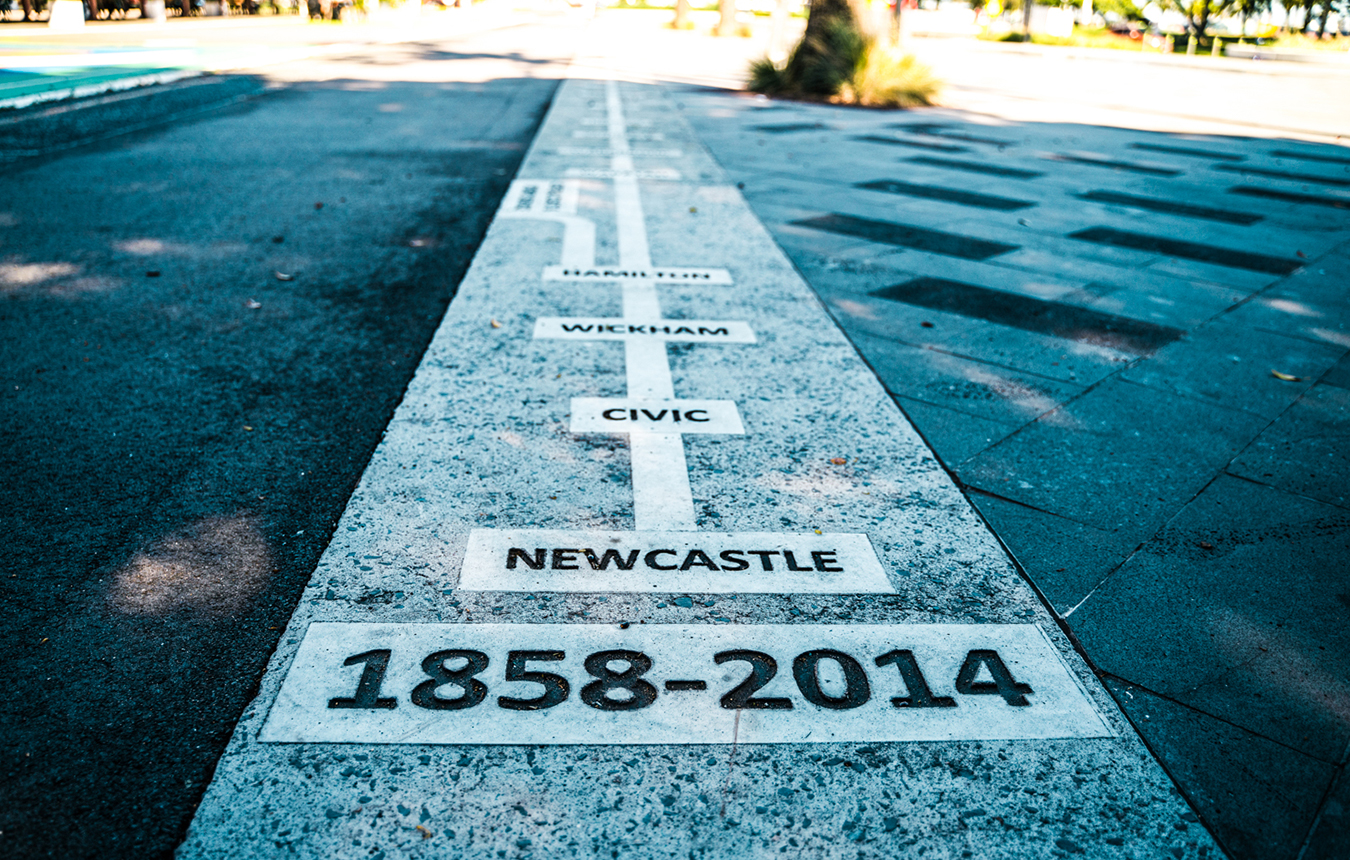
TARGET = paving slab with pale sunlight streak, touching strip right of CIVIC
(974,388)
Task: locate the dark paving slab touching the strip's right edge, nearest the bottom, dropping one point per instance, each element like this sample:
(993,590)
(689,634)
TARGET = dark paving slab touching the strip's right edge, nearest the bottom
(1258,797)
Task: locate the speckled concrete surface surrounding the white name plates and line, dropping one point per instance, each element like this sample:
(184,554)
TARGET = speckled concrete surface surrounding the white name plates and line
(483,442)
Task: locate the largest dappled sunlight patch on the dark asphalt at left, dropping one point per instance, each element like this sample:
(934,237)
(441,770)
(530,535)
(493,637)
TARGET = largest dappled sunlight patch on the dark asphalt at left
(213,568)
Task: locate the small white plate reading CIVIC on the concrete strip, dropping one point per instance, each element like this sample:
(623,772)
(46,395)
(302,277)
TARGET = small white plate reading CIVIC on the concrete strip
(626,415)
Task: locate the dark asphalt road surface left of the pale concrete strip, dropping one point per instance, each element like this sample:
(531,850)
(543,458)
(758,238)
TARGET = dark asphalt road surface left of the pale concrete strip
(207,326)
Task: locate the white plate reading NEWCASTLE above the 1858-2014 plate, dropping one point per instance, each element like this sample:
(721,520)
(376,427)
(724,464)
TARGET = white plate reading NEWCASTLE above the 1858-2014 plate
(665,562)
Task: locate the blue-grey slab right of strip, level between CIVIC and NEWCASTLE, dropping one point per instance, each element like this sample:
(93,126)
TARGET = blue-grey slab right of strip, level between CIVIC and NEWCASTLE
(1118,458)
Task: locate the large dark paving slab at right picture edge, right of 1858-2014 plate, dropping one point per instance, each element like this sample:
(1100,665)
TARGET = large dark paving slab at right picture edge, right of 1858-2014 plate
(1240,608)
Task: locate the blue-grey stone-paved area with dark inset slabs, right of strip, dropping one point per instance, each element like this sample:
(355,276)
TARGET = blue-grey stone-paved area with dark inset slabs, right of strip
(1131,349)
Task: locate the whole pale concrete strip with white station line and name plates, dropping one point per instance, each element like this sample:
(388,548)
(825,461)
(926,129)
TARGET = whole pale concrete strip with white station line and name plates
(549,623)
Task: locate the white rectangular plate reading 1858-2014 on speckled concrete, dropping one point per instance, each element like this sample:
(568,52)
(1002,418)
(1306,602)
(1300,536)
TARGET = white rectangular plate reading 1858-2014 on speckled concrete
(774,684)
